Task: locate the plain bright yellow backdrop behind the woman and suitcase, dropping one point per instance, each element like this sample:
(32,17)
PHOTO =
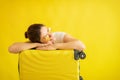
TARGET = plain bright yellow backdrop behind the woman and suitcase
(95,22)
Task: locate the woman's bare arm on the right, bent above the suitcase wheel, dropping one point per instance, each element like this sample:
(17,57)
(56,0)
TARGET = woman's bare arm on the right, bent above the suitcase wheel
(68,43)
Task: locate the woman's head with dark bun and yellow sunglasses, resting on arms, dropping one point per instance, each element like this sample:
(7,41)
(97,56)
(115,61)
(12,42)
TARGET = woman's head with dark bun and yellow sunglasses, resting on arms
(38,33)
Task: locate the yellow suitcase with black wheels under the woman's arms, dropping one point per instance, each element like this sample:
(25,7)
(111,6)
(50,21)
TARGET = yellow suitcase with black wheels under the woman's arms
(49,65)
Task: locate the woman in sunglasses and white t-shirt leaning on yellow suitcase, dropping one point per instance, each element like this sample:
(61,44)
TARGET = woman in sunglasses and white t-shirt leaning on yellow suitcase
(40,38)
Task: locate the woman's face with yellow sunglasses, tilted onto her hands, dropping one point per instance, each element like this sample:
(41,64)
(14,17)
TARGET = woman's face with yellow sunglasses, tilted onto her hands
(46,36)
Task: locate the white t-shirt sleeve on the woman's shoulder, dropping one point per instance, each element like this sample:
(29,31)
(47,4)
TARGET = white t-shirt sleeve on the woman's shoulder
(59,36)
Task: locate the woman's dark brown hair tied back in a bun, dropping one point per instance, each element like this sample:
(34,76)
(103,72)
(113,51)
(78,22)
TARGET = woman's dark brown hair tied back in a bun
(33,32)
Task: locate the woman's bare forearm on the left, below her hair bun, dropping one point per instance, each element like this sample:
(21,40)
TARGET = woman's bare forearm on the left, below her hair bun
(20,46)
